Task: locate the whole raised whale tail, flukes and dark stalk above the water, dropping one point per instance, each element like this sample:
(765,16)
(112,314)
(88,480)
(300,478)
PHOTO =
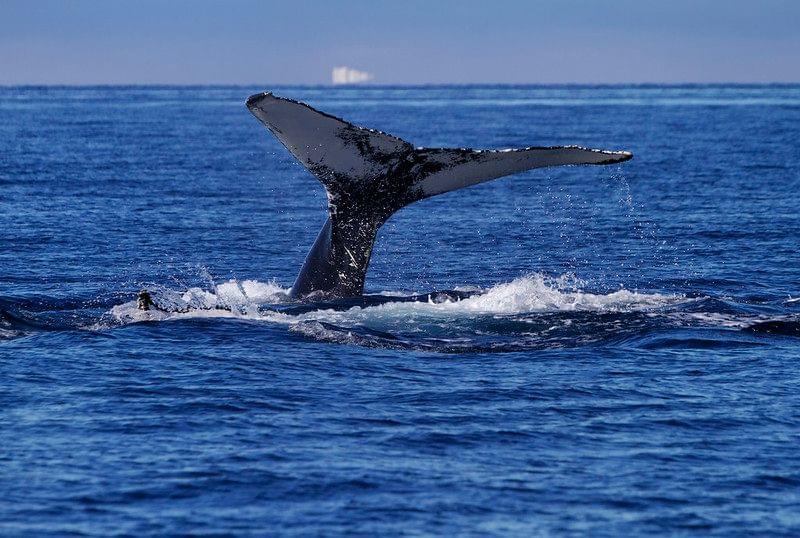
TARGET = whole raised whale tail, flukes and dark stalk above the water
(369,175)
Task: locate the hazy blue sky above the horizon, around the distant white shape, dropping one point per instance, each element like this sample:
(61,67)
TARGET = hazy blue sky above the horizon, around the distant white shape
(288,42)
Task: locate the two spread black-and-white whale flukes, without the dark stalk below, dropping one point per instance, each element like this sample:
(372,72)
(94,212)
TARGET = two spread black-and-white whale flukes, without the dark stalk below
(345,157)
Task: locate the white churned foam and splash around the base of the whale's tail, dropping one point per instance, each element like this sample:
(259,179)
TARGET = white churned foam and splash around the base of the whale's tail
(529,294)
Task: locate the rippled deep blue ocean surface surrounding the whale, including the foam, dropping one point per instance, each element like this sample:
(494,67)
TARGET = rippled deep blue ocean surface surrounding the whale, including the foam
(628,362)
